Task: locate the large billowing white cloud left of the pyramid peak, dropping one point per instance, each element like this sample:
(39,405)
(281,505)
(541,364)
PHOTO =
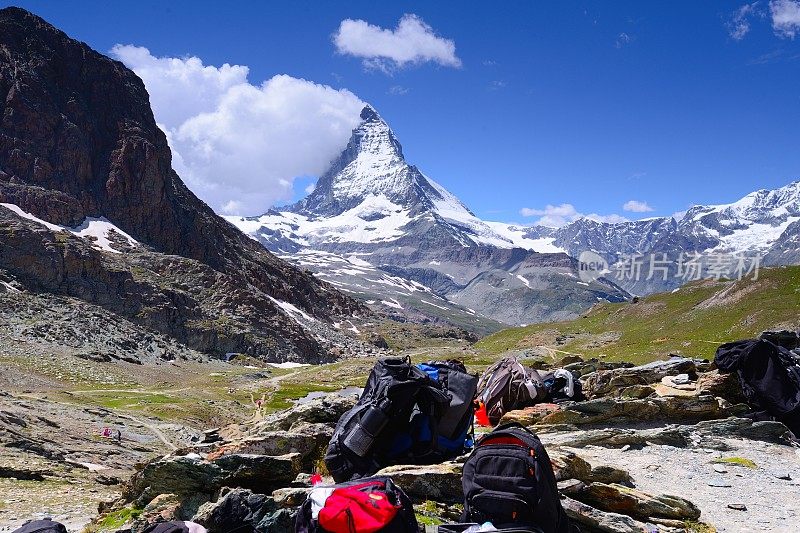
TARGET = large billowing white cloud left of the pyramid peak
(239,146)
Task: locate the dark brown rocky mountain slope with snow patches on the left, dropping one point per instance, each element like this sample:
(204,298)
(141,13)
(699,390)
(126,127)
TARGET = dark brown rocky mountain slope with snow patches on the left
(92,209)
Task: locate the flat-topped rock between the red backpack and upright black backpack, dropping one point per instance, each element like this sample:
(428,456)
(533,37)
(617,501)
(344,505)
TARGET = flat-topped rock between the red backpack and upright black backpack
(441,482)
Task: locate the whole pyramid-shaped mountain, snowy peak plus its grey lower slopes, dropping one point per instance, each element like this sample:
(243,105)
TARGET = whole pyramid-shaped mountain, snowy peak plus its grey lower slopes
(373,207)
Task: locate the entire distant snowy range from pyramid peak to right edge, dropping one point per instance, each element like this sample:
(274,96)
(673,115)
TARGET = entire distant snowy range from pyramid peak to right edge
(379,229)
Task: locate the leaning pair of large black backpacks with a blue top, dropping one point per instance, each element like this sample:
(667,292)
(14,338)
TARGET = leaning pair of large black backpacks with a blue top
(407,414)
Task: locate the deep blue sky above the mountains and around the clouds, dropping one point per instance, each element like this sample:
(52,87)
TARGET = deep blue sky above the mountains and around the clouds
(588,103)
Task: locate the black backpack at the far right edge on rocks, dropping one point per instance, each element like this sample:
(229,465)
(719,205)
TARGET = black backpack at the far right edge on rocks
(769,376)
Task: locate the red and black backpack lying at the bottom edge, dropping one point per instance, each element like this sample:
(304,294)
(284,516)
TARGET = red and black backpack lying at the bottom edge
(372,504)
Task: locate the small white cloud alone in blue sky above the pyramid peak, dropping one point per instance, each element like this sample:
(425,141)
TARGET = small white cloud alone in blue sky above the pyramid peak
(412,42)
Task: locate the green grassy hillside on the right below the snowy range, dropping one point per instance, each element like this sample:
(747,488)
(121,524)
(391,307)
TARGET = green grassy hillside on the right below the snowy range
(691,321)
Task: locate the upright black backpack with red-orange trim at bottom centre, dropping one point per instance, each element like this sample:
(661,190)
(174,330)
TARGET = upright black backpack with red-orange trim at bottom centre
(508,480)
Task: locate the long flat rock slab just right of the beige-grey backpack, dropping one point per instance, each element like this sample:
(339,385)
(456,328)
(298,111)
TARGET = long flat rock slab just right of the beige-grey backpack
(605,382)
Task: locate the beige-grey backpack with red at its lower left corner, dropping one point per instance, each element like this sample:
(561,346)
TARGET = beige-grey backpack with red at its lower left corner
(509,385)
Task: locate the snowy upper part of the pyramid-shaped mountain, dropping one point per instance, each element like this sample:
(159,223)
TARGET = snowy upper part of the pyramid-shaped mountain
(370,194)
